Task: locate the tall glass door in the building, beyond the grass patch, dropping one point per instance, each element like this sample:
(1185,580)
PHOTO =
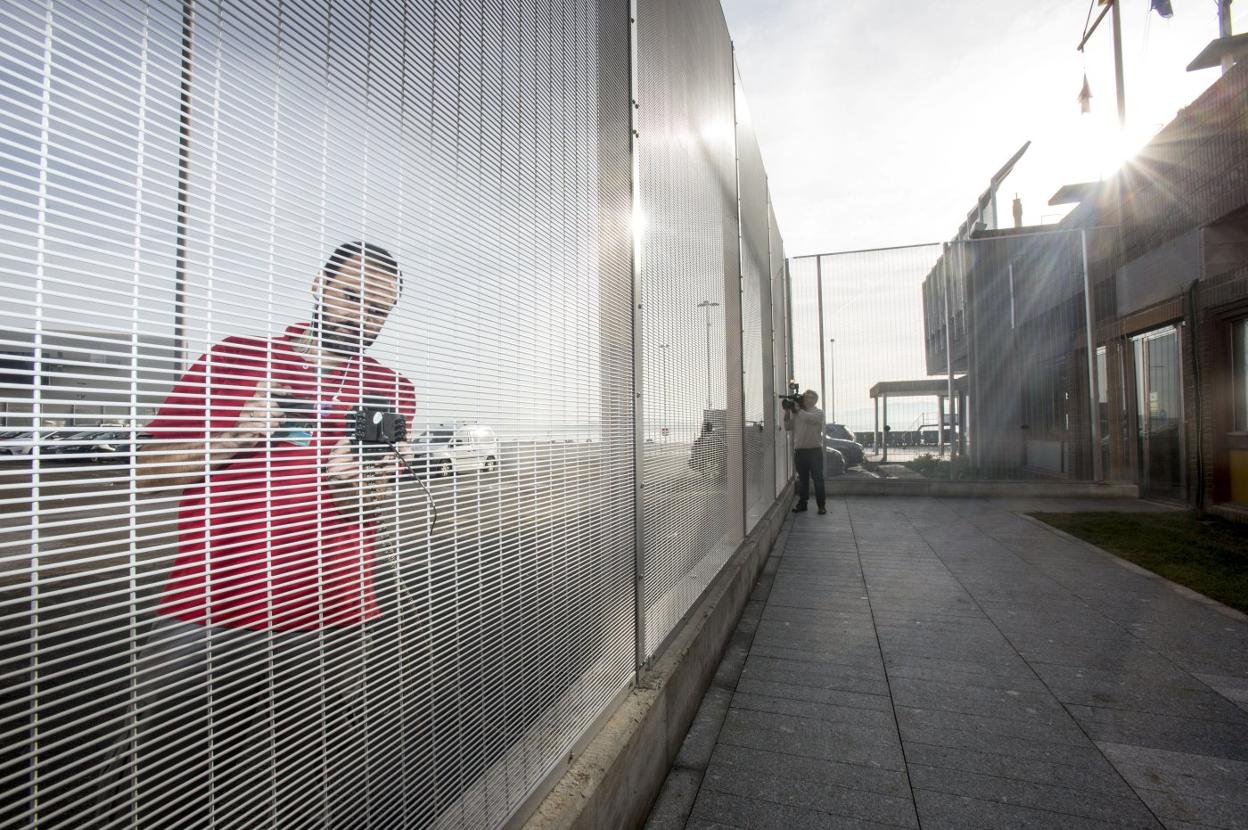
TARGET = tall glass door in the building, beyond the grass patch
(1160,413)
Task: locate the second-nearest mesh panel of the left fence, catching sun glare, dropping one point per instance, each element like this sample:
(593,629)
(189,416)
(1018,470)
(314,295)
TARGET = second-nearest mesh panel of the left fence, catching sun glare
(687,203)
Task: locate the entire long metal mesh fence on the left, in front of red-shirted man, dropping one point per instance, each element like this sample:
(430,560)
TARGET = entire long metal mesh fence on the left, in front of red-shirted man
(338,396)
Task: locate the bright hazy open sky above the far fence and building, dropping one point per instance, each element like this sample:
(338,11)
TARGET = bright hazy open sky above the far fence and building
(882,123)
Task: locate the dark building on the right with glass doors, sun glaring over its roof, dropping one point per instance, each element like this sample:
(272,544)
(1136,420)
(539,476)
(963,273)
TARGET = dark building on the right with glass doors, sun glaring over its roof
(1163,249)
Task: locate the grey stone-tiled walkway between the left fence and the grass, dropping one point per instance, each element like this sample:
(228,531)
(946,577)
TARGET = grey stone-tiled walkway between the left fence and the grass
(949,663)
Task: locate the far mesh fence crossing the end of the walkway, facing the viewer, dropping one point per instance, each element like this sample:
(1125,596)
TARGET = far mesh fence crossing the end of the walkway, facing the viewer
(964,361)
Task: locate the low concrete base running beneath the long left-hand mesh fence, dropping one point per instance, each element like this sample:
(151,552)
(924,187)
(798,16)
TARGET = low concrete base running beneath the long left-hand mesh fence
(616,779)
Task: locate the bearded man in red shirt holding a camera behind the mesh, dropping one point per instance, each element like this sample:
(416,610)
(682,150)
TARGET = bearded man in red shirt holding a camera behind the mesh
(279,521)
